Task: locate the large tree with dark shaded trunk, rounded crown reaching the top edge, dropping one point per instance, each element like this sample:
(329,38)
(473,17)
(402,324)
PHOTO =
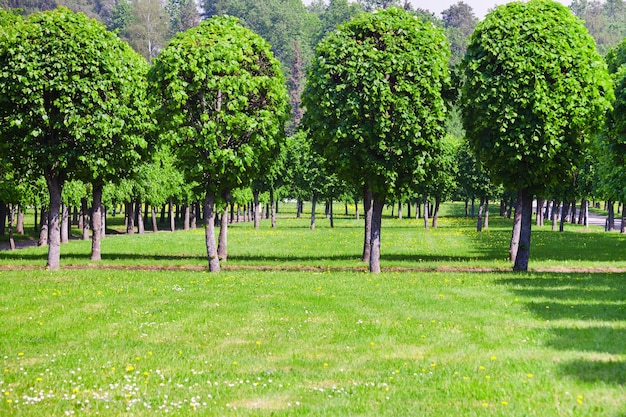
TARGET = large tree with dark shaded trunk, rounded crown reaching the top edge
(533,90)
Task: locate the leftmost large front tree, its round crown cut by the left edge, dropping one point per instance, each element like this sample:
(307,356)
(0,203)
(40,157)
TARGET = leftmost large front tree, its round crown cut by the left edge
(65,99)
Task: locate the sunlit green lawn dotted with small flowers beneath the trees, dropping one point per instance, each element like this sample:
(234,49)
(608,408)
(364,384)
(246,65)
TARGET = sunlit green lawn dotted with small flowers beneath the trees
(307,332)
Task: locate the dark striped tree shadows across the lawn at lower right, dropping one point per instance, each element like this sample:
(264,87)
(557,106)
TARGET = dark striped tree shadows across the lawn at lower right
(597,304)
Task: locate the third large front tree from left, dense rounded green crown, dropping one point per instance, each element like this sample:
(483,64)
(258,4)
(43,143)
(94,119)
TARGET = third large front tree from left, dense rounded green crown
(374,105)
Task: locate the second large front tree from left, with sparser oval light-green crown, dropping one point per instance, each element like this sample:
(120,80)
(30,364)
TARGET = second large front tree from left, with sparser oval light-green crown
(222,103)
